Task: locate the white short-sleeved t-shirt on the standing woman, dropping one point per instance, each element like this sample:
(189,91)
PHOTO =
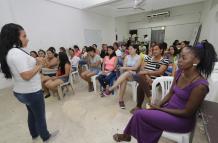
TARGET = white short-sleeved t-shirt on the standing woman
(18,62)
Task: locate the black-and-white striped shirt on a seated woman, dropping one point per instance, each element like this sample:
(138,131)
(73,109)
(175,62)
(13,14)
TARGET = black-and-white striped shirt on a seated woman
(155,65)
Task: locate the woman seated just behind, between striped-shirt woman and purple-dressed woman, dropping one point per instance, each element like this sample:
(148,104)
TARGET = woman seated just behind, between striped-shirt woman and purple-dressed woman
(173,59)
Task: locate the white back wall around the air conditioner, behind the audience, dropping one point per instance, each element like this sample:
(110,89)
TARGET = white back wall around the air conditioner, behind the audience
(179,25)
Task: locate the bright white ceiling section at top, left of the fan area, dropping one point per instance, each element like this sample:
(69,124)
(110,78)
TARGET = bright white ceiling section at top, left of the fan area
(81,4)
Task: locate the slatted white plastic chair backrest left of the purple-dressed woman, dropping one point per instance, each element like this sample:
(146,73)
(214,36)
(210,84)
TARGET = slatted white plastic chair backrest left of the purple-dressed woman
(165,83)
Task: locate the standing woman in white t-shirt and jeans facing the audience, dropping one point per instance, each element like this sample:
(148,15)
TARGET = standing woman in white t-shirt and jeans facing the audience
(24,69)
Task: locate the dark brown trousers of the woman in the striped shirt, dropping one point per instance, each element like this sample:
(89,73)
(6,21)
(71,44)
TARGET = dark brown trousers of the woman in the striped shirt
(142,89)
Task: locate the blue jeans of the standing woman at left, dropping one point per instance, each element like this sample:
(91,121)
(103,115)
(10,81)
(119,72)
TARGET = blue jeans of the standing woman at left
(36,113)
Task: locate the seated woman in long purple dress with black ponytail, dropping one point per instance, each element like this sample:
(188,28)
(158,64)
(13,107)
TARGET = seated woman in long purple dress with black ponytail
(176,112)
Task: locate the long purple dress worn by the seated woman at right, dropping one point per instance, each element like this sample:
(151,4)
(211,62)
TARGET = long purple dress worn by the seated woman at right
(147,125)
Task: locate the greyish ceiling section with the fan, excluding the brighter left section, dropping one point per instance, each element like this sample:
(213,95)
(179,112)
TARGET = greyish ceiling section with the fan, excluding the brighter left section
(110,8)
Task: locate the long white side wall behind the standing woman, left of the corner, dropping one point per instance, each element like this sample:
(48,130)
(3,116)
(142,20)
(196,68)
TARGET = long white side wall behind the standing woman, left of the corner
(49,24)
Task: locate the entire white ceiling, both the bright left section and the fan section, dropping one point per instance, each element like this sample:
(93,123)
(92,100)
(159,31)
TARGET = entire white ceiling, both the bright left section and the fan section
(110,7)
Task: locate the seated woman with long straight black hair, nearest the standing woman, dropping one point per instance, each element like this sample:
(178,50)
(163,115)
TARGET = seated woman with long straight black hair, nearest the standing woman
(62,75)
